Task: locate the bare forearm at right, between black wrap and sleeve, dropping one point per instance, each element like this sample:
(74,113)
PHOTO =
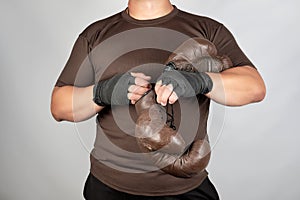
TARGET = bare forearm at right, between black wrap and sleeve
(237,86)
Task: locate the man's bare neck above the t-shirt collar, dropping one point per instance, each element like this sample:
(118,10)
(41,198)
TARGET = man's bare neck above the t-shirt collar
(149,9)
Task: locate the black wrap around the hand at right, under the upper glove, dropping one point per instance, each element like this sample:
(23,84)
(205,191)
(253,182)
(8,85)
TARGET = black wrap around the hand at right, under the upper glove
(186,84)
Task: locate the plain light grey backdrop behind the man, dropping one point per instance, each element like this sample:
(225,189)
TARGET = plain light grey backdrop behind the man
(257,155)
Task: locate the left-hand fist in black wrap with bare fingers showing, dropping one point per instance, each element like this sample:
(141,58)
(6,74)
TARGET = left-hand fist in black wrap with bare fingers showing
(121,88)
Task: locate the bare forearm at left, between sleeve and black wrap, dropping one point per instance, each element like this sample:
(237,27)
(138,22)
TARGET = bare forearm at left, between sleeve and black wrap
(74,104)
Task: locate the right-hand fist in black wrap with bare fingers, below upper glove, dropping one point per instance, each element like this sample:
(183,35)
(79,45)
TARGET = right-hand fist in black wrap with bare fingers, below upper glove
(173,84)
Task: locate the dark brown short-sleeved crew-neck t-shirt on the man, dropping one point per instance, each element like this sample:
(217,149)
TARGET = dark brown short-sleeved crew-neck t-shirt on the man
(119,44)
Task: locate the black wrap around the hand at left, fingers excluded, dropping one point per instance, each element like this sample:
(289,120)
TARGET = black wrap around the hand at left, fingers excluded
(114,90)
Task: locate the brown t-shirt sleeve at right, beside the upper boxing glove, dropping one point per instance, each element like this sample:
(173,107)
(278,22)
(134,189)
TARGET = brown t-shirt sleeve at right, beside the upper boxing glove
(227,45)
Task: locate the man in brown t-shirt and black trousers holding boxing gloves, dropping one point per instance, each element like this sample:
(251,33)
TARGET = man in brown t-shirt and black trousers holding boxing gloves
(93,81)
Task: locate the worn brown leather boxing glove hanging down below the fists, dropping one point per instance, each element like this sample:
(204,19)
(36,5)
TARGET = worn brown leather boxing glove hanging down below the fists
(166,147)
